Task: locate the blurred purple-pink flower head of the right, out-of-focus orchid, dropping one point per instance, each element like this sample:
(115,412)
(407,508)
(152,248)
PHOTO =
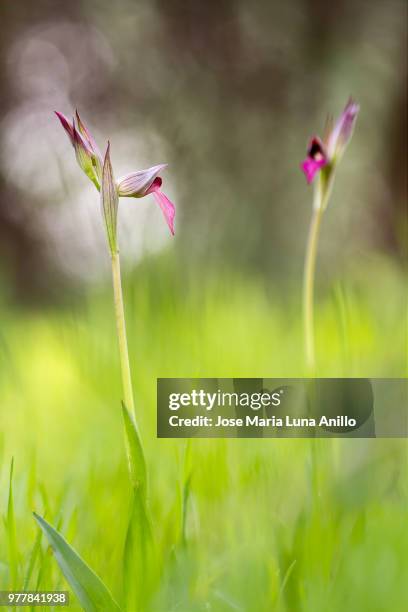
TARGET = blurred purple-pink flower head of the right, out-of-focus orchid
(328,153)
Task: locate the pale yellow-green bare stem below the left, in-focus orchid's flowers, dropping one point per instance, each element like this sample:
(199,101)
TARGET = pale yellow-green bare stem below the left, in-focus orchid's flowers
(121,330)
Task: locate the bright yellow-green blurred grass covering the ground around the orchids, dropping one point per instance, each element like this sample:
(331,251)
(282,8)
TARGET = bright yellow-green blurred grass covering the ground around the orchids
(235,524)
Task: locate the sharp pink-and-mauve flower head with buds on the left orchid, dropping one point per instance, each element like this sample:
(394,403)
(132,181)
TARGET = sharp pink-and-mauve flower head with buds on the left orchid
(99,171)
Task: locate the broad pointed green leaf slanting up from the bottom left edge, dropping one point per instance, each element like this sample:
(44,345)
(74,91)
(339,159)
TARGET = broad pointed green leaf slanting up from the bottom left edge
(88,587)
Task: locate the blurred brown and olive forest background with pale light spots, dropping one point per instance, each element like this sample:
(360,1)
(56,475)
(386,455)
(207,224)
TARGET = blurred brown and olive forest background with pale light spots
(228,93)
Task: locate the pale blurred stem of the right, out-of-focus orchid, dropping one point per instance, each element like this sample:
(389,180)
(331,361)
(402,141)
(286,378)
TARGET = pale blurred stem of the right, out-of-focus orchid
(308,288)
